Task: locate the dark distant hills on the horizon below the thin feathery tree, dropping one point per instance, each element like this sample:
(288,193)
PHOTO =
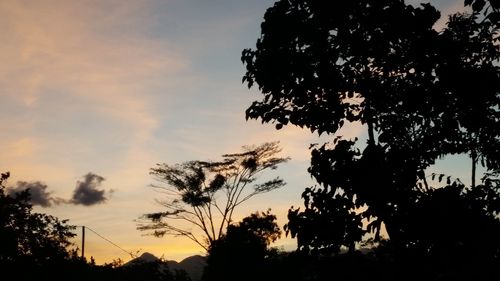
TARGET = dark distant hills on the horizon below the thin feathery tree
(193,265)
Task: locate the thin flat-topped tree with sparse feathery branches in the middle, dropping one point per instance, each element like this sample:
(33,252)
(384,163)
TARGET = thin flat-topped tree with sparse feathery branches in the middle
(205,194)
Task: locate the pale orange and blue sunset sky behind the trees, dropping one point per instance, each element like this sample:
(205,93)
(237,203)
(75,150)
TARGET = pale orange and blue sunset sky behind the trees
(94,93)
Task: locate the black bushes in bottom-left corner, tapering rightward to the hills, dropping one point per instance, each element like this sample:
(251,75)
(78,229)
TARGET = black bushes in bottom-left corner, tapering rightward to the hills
(37,246)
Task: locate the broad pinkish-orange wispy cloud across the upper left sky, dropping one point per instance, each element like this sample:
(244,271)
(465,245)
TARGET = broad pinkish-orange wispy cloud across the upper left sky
(76,80)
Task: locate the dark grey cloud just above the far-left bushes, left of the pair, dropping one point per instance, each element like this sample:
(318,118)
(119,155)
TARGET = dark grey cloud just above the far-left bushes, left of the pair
(38,192)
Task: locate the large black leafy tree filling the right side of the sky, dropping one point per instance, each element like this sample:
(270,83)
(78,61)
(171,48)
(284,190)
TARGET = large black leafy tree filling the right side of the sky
(420,93)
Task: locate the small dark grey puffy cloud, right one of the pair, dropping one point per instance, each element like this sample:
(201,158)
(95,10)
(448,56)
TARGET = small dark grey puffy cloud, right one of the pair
(86,192)
